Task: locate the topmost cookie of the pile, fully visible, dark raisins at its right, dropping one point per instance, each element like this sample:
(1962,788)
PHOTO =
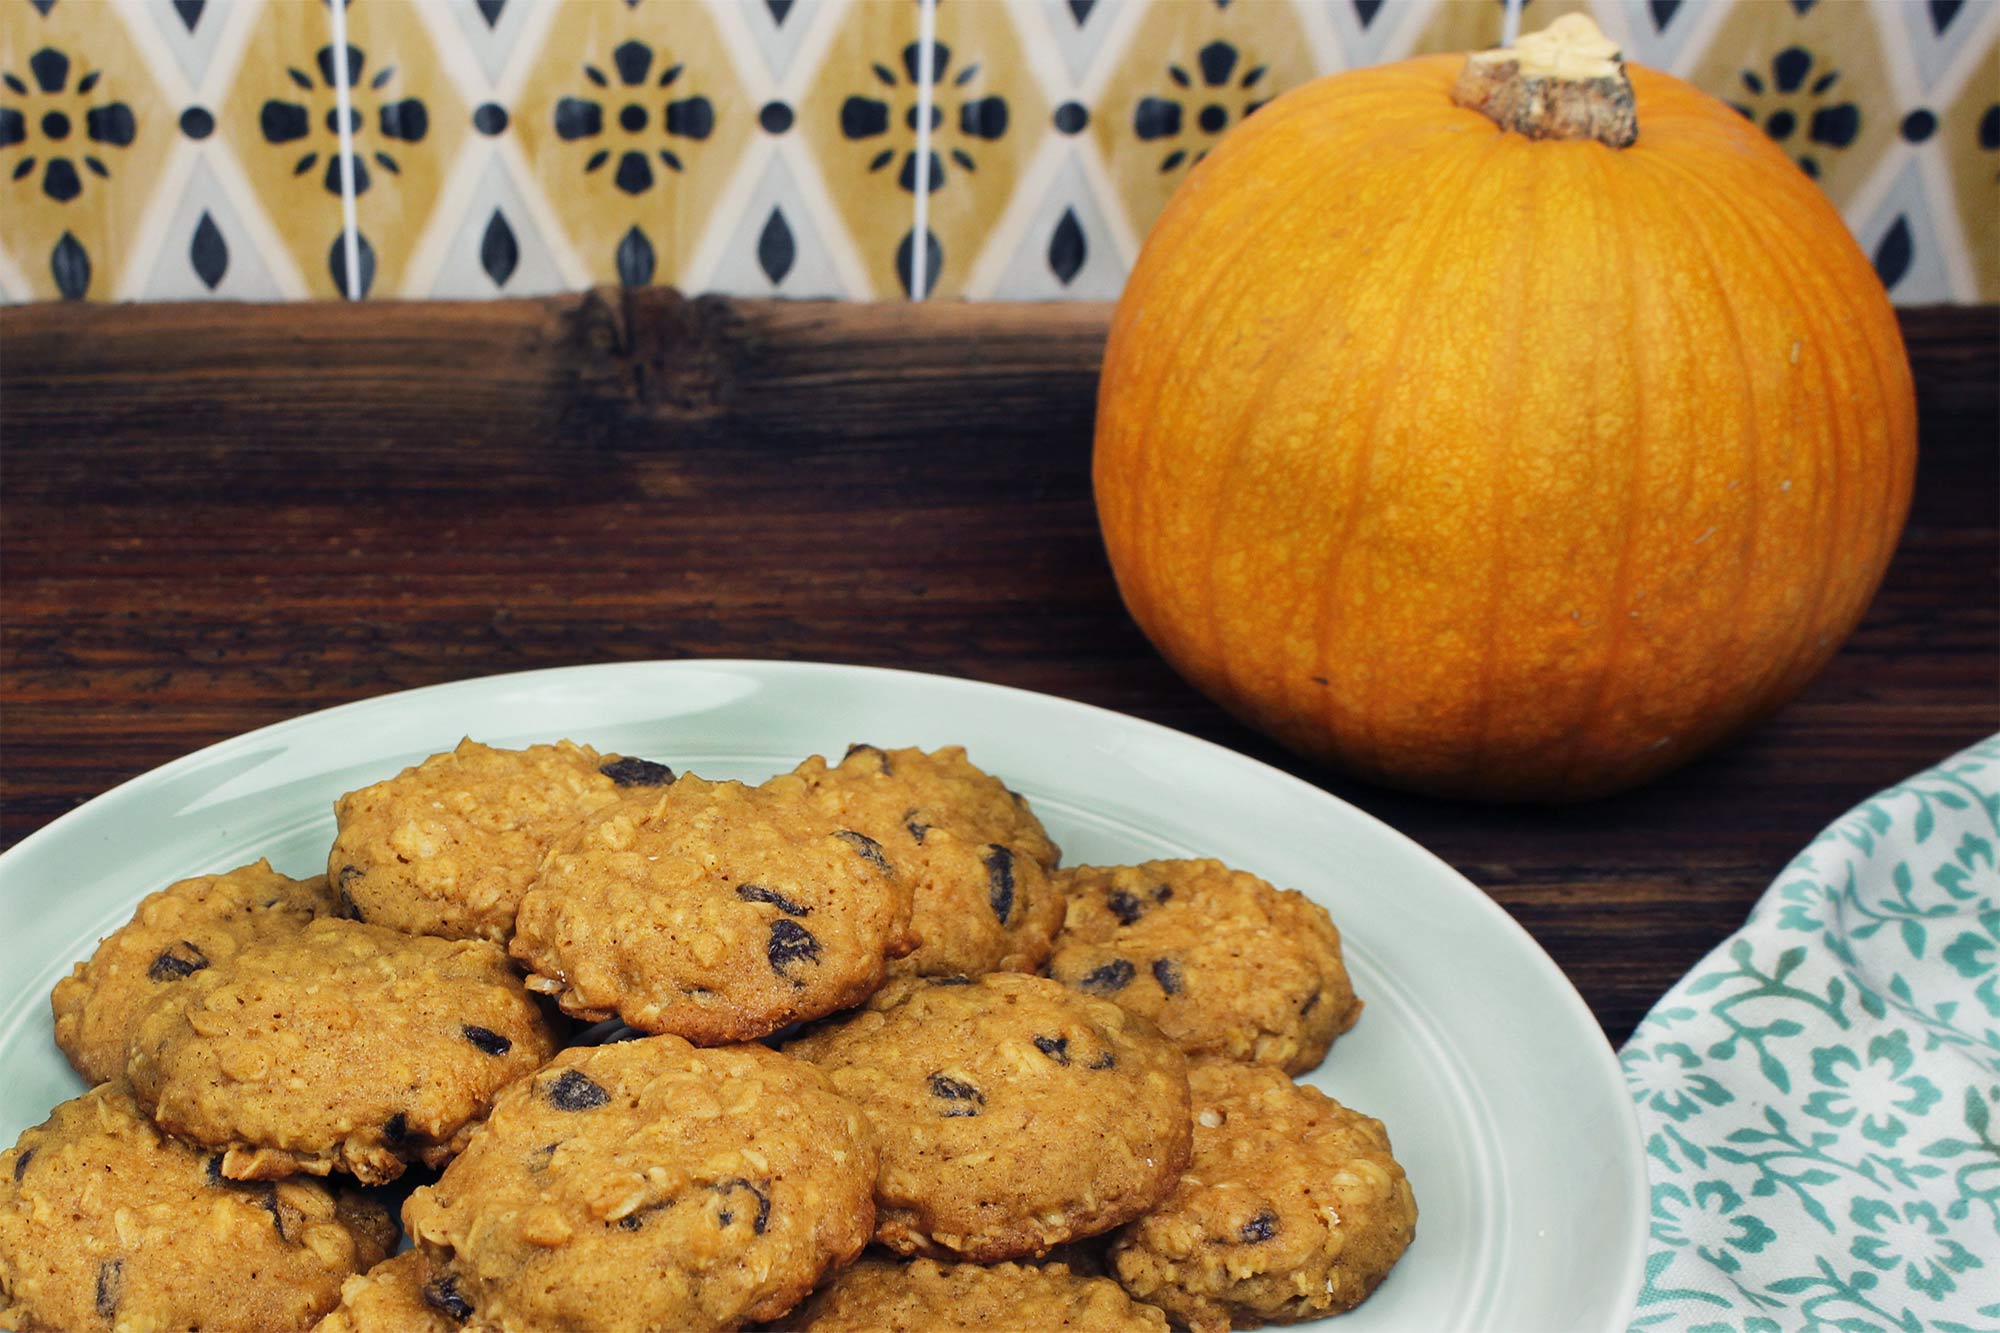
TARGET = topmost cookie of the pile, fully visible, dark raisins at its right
(713,912)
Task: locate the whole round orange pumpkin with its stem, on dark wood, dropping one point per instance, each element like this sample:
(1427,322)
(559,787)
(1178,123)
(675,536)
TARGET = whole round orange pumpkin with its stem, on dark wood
(1509,427)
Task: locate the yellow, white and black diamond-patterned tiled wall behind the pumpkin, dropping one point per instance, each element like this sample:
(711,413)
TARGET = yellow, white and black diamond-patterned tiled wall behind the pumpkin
(221,149)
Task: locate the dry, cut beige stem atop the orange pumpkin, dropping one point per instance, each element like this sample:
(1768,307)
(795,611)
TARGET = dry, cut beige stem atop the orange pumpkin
(1565,81)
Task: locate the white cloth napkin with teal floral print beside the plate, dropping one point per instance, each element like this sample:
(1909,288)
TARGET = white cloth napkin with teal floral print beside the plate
(1821,1096)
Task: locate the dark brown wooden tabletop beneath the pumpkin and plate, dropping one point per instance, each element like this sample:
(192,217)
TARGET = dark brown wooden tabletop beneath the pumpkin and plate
(219,517)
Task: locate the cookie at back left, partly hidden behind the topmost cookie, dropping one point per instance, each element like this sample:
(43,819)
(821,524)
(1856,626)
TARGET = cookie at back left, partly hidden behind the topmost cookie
(447,848)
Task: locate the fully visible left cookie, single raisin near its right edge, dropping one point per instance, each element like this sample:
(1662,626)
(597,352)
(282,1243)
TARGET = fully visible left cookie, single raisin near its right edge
(341,1046)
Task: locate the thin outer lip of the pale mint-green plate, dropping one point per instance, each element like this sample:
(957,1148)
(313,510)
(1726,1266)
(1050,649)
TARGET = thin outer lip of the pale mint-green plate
(1603,1062)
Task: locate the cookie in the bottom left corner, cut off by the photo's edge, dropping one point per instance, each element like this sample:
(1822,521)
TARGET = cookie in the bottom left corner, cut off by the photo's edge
(105,1222)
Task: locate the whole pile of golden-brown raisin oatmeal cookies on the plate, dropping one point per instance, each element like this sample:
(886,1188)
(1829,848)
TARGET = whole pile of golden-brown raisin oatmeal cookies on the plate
(849,1050)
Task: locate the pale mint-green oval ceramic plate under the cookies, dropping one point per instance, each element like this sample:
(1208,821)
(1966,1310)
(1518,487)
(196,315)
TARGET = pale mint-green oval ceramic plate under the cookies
(1495,1082)
